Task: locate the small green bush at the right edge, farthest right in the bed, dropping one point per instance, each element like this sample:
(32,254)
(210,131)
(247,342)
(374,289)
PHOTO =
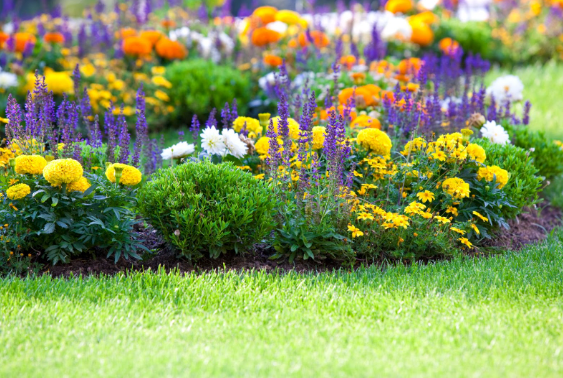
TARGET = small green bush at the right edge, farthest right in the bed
(547,156)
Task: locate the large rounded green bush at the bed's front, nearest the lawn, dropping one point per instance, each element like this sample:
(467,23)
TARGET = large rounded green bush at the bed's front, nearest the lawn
(201,206)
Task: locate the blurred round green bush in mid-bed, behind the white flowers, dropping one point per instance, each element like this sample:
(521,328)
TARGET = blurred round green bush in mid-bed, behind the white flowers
(200,85)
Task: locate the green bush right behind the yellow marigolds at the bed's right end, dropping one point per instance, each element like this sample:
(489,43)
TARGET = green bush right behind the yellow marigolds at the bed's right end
(524,184)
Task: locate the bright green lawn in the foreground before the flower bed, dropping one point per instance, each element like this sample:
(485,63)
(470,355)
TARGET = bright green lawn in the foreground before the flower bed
(496,317)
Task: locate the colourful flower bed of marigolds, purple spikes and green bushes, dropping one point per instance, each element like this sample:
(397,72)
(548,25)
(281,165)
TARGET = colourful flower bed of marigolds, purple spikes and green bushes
(352,151)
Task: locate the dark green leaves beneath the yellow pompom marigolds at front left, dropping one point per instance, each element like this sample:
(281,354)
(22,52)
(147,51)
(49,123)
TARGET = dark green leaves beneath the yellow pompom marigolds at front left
(67,223)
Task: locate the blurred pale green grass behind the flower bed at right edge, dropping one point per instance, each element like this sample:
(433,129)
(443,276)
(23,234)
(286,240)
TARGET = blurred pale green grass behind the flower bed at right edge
(542,86)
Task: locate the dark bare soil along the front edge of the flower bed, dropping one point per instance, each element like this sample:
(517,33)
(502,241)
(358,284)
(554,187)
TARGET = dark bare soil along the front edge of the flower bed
(531,226)
